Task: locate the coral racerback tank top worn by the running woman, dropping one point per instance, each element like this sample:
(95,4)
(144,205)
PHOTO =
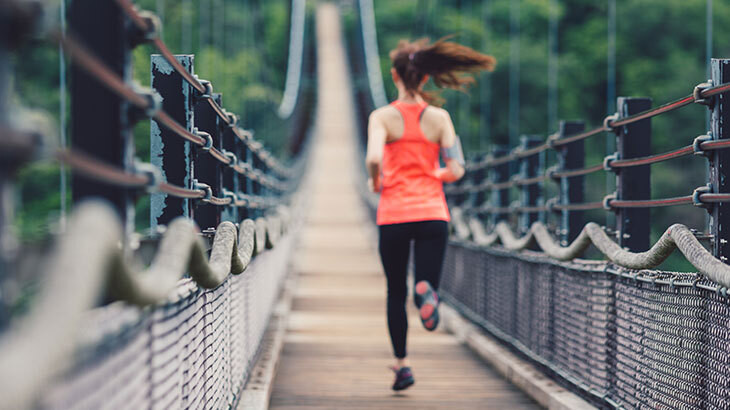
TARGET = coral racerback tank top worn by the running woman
(411,191)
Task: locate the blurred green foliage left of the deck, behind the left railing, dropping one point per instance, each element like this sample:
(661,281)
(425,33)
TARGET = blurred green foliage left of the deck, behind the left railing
(241,46)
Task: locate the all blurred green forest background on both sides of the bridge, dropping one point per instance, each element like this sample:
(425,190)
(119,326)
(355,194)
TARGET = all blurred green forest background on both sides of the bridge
(241,46)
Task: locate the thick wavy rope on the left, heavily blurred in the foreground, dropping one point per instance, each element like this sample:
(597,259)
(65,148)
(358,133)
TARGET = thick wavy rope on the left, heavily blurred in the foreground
(88,263)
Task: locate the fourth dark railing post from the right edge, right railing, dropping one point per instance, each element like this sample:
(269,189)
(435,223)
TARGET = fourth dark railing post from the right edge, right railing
(530,195)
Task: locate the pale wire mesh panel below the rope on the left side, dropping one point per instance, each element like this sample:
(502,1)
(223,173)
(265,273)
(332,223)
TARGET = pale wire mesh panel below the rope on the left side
(195,351)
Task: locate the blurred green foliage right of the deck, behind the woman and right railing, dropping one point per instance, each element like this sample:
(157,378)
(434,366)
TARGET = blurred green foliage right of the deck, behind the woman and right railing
(660,48)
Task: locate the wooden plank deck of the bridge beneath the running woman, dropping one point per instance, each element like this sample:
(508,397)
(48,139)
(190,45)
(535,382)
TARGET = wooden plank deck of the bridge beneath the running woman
(336,349)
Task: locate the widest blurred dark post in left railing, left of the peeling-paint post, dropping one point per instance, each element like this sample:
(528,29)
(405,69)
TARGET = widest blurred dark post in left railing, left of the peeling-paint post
(100,120)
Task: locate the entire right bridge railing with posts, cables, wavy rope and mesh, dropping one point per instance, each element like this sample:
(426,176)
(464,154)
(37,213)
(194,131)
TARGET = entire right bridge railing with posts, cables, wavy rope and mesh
(615,330)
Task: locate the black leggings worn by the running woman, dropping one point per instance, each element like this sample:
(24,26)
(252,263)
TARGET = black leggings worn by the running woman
(429,239)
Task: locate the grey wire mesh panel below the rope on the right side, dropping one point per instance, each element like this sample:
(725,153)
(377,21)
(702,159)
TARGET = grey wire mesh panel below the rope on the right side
(632,339)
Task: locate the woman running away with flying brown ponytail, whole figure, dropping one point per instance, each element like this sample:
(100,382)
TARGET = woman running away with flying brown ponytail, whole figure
(404,141)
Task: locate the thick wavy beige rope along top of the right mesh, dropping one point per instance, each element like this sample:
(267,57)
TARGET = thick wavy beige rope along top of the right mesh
(677,236)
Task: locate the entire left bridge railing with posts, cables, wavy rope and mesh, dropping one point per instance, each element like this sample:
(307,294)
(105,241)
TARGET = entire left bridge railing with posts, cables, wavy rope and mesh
(104,331)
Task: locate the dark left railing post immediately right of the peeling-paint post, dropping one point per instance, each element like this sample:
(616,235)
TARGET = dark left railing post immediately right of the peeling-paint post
(205,167)
